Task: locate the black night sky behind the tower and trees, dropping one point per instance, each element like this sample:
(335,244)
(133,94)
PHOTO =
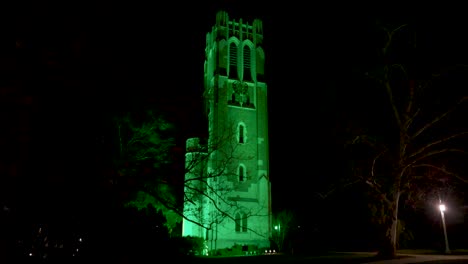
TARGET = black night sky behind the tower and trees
(80,63)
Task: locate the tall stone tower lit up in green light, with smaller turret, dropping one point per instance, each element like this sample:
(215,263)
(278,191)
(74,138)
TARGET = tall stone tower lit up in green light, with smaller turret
(228,197)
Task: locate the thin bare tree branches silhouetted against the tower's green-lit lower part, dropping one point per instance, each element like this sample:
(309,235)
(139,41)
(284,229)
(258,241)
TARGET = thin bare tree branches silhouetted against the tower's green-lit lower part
(210,181)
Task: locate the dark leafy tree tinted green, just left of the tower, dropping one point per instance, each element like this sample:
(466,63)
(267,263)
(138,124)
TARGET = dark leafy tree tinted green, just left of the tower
(144,163)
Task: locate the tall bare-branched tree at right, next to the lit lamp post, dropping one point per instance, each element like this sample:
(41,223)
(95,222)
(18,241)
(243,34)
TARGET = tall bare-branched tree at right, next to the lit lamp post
(416,142)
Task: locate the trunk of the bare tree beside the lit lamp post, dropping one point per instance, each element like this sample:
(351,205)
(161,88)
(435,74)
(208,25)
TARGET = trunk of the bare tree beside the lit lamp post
(388,248)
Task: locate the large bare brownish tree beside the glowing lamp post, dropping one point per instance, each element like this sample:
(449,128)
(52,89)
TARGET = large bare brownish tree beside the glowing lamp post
(417,147)
